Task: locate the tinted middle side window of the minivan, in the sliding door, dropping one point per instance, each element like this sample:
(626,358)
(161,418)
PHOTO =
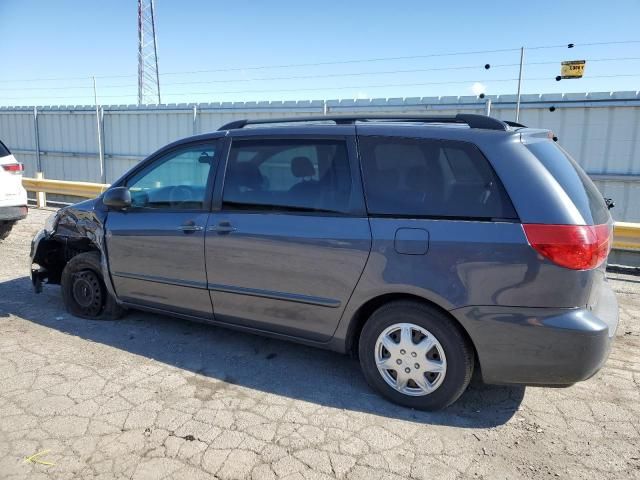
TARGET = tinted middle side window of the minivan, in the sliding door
(288,175)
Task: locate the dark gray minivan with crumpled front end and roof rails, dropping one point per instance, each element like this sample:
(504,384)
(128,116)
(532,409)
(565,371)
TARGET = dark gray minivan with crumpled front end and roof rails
(426,246)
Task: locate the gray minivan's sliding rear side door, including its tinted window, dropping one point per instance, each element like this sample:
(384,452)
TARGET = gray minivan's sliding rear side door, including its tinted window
(288,246)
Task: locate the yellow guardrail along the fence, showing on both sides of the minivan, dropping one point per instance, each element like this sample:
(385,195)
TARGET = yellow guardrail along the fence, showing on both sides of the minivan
(626,236)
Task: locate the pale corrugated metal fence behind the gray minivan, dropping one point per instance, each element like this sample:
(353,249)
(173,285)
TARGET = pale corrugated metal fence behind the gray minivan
(600,129)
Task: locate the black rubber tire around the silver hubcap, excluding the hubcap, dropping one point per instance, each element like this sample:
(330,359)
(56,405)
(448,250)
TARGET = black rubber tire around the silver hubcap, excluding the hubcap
(457,350)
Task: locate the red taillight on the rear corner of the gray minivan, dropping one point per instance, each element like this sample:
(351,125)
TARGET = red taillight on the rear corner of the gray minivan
(579,247)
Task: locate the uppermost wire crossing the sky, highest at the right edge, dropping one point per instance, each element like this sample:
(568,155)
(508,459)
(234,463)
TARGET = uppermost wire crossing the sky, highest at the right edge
(335,62)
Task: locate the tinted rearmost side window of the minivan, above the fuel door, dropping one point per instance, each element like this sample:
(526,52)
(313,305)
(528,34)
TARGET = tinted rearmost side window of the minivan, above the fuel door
(431,178)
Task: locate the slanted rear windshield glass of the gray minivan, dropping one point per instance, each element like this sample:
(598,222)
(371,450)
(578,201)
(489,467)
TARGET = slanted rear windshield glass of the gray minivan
(575,182)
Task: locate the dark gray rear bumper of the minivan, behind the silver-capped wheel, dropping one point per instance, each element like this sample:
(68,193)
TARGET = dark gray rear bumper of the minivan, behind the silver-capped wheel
(541,346)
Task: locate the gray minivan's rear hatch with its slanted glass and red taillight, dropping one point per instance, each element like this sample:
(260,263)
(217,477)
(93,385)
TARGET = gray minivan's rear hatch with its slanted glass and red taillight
(579,247)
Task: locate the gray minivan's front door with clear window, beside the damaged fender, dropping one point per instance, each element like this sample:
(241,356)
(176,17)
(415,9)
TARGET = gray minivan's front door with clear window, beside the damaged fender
(156,248)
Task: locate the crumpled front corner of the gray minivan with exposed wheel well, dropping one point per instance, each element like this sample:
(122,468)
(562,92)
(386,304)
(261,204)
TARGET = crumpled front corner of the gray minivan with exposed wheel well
(75,229)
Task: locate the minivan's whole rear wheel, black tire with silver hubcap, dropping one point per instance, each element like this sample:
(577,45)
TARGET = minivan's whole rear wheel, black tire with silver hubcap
(415,355)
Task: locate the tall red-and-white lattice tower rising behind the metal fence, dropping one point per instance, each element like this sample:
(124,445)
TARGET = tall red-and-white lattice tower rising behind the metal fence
(148,80)
